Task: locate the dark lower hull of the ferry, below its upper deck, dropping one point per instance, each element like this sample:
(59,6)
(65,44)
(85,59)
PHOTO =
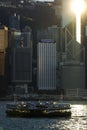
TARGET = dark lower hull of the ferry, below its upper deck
(37,113)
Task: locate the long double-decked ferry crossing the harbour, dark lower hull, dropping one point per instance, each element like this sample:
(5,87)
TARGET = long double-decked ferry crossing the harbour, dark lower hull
(38,109)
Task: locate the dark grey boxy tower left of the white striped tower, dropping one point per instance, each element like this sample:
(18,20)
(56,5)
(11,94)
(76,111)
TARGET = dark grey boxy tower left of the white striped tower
(21,57)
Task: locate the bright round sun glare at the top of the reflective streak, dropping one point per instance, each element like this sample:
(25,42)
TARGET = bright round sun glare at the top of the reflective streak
(78,6)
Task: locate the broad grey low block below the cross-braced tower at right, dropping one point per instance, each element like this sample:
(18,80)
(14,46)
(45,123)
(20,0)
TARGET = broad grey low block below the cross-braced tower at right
(73,76)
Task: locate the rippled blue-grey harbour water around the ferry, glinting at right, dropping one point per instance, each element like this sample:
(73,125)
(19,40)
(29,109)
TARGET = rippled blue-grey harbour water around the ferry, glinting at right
(78,120)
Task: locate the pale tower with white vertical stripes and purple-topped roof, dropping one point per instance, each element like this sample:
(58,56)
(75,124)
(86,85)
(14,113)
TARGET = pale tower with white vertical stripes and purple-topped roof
(46,65)
